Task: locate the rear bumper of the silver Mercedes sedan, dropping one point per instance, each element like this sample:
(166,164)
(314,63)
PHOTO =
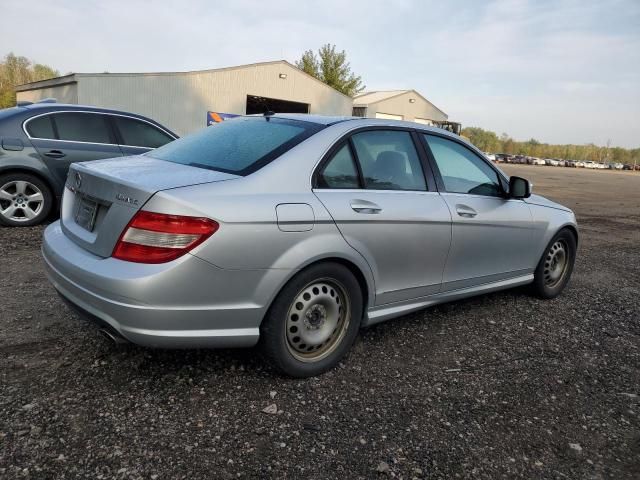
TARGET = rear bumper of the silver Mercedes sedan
(187,303)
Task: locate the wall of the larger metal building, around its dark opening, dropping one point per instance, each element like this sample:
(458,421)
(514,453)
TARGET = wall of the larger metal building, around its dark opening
(181,100)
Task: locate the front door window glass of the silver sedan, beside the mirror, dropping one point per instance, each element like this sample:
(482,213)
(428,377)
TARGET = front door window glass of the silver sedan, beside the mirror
(461,170)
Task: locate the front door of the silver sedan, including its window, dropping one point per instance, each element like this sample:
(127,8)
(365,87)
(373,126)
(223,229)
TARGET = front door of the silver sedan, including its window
(493,237)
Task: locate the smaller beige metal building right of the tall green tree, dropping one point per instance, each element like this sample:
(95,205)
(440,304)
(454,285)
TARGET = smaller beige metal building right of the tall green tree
(398,105)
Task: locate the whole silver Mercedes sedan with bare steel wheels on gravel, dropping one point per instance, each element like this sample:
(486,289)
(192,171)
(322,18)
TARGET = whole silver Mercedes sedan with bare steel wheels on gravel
(295,231)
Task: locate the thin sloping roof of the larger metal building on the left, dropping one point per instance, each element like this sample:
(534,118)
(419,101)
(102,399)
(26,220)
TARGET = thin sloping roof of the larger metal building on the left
(73,77)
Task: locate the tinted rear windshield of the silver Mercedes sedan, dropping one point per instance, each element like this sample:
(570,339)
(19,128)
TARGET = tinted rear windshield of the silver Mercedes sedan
(240,146)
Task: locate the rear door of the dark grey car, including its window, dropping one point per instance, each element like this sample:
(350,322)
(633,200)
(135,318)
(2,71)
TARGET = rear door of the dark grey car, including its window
(62,138)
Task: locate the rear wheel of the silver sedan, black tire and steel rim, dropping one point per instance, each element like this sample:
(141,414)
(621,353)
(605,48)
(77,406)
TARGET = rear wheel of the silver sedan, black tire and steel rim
(288,354)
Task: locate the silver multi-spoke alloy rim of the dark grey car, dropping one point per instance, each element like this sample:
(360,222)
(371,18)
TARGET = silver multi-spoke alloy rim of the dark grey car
(20,201)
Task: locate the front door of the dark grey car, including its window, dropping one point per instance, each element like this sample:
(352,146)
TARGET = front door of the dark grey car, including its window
(137,136)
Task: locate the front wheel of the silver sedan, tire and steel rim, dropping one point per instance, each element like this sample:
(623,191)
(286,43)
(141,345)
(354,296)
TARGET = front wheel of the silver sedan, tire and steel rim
(549,281)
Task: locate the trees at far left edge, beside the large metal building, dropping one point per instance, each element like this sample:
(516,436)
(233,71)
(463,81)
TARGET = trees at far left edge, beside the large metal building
(15,70)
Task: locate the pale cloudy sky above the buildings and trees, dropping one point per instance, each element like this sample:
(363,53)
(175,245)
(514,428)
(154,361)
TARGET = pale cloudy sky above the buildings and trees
(559,71)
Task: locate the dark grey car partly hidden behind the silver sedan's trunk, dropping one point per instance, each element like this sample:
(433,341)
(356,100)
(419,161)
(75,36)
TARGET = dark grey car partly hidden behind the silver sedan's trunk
(39,141)
